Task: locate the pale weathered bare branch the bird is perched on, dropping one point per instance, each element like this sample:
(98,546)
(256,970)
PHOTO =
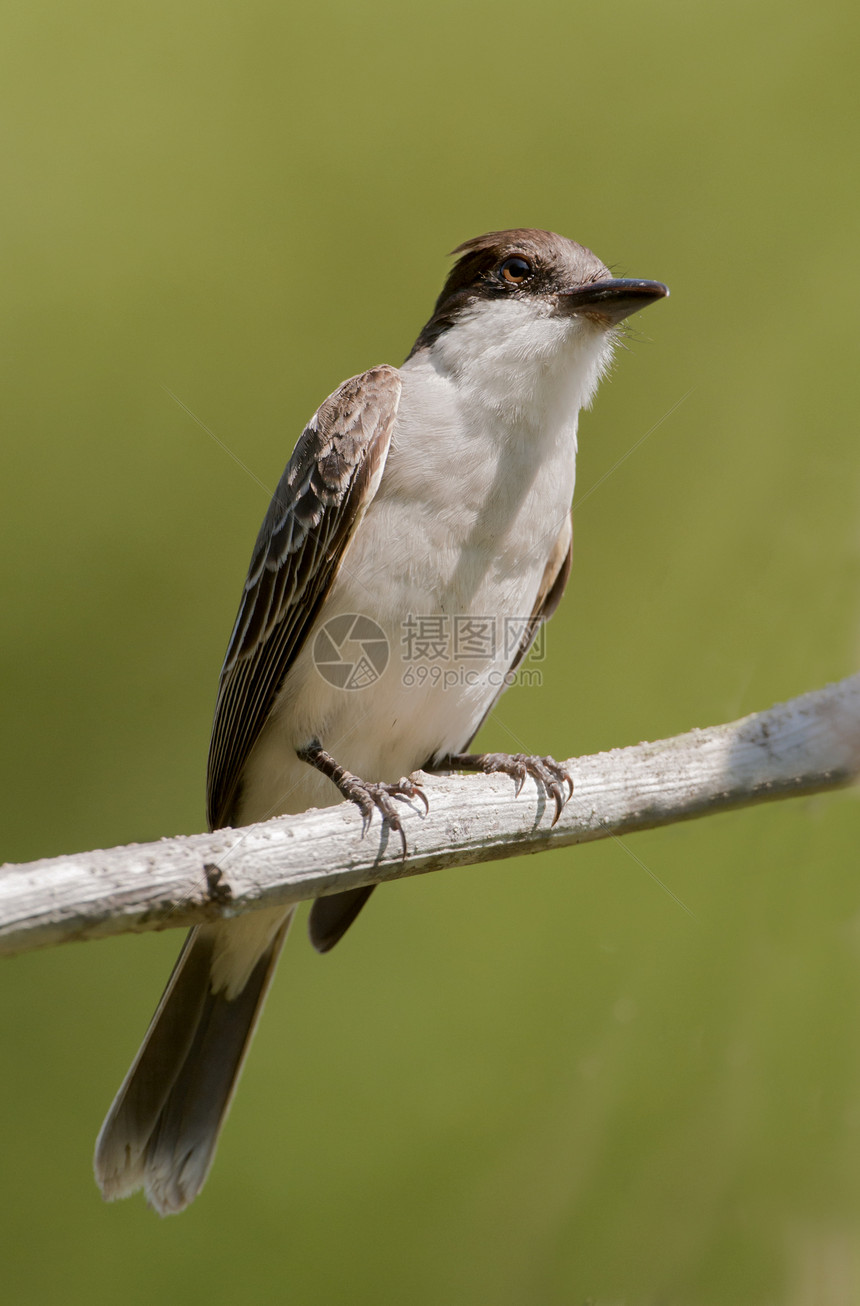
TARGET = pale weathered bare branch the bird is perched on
(808,745)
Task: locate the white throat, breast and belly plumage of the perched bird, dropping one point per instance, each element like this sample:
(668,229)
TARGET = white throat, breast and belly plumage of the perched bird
(476,490)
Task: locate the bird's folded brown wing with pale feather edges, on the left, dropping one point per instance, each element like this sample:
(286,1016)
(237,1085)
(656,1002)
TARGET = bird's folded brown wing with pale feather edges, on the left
(322,497)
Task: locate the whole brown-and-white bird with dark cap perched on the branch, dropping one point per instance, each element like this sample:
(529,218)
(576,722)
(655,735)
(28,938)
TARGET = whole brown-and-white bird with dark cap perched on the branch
(423,523)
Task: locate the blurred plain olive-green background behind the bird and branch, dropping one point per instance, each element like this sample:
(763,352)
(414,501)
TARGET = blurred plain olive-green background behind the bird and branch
(539,1082)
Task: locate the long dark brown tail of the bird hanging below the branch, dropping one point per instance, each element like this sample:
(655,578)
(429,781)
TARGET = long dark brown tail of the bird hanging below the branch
(161,1132)
